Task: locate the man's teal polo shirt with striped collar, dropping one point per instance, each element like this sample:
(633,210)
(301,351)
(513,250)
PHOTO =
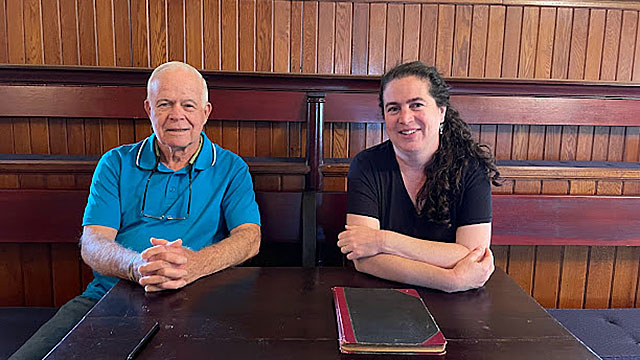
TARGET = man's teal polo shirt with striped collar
(222,198)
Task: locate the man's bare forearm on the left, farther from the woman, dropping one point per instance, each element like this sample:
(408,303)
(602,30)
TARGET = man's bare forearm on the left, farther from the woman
(104,255)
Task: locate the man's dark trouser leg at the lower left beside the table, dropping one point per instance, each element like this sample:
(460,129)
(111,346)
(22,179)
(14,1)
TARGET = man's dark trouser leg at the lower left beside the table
(49,334)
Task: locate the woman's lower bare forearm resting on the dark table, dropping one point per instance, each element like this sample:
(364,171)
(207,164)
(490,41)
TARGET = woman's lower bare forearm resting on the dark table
(396,268)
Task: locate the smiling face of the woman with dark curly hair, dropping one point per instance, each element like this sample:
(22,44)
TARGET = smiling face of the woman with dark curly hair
(412,117)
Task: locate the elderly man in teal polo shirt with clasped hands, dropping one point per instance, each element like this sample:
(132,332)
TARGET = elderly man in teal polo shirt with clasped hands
(165,211)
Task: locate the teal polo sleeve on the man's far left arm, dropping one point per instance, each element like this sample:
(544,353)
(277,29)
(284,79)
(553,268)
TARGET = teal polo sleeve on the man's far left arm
(103,204)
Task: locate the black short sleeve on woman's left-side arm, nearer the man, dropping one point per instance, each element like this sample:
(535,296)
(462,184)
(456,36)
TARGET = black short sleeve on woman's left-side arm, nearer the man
(362,194)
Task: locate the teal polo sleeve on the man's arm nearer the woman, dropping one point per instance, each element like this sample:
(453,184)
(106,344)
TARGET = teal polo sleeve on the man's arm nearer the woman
(239,203)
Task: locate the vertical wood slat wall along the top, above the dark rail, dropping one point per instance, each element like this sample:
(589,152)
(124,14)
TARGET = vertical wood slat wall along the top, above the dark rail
(518,40)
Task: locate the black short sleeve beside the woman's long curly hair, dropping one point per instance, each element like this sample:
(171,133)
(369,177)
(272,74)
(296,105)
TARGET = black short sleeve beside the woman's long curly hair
(475,205)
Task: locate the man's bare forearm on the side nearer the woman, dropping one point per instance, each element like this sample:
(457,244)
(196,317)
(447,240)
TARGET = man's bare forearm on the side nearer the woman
(242,244)
